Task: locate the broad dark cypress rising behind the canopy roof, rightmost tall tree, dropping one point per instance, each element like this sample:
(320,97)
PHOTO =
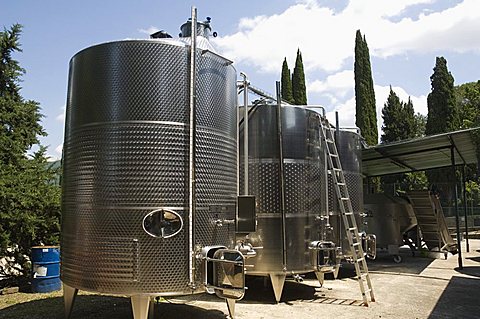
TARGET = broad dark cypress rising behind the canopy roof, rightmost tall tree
(442,113)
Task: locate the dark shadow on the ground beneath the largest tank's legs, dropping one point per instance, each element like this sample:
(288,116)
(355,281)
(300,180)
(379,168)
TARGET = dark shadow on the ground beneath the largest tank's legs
(102,307)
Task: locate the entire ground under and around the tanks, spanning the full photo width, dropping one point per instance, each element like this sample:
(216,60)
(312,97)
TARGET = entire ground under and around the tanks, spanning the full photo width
(418,288)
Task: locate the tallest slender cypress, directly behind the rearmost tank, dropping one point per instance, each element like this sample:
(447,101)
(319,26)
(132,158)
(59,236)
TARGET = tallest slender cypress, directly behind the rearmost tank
(366,114)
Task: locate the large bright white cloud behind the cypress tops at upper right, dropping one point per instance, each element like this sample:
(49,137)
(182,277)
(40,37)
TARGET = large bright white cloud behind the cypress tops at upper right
(326,38)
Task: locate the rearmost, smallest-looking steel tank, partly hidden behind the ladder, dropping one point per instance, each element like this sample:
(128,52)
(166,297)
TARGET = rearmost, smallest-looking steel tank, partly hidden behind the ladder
(349,147)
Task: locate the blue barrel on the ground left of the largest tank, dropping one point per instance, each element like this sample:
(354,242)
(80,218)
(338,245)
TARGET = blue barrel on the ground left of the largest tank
(46,268)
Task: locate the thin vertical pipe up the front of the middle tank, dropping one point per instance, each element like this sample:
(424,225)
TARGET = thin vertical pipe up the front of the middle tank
(281,175)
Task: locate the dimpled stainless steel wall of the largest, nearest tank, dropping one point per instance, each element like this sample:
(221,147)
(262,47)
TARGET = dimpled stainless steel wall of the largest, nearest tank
(126,154)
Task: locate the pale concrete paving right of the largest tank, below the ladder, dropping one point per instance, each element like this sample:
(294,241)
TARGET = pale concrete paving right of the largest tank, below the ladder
(419,287)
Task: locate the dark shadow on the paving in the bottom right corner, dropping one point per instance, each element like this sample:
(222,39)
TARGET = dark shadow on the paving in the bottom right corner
(458,300)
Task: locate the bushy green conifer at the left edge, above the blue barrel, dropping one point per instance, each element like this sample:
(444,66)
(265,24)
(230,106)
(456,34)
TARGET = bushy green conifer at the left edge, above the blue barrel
(29,198)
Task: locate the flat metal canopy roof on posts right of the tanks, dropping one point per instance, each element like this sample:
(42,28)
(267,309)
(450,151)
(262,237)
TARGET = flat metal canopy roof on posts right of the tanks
(420,154)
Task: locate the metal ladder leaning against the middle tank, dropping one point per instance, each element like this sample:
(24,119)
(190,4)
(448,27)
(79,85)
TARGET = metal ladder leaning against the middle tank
(345,205)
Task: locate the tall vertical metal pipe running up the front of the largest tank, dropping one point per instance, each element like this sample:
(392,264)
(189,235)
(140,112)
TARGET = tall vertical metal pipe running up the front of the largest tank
(191,157)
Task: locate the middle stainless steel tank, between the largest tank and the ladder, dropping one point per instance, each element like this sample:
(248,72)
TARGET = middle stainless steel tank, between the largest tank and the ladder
(305,185)
